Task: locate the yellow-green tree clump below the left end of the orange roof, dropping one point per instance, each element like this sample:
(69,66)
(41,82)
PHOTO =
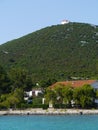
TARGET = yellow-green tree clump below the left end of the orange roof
(59,95)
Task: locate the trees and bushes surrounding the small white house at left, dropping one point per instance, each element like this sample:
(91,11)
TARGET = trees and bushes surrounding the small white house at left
(14,84)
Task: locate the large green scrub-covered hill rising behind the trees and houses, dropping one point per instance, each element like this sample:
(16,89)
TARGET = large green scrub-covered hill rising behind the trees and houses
(59,52)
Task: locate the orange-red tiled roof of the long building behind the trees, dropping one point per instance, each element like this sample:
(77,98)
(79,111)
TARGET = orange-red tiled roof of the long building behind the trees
(74,84)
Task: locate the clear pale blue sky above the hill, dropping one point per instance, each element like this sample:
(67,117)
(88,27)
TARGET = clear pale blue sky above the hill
(20,17)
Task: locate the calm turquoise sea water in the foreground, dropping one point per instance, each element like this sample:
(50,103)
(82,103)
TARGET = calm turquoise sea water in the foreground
(43,122)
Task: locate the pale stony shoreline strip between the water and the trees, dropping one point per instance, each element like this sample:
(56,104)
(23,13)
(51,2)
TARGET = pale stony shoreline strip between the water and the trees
(50,111)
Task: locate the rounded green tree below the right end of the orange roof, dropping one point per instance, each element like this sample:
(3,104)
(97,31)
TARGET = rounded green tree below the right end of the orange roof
(84,96)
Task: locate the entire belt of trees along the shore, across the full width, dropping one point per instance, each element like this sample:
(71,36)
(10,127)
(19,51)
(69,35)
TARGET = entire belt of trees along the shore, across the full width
(16,82)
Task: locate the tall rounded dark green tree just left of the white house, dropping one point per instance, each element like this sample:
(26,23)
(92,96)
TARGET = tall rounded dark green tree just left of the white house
(20,79)
